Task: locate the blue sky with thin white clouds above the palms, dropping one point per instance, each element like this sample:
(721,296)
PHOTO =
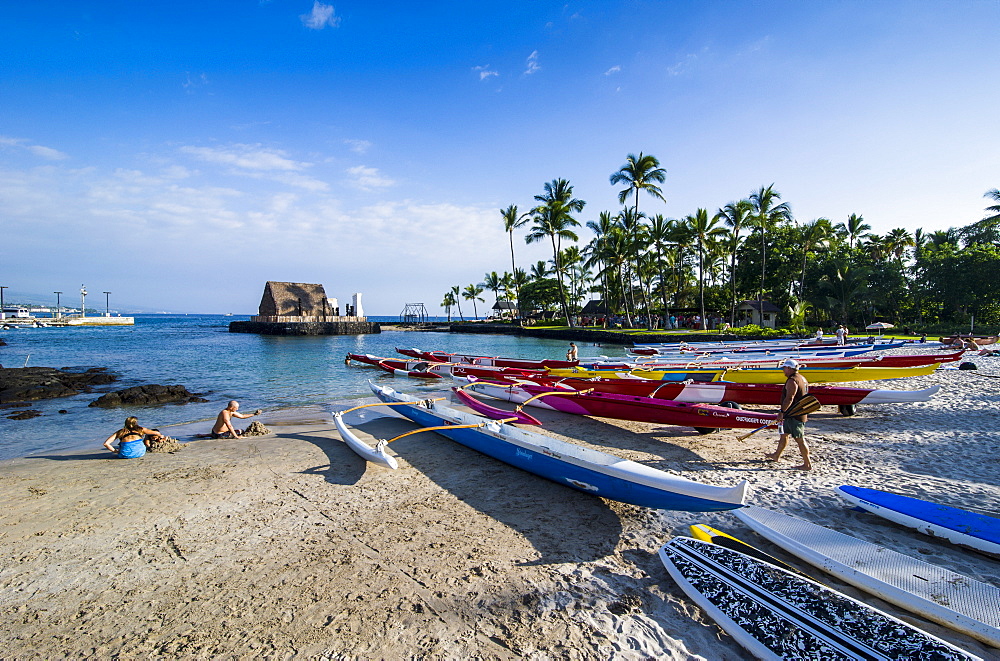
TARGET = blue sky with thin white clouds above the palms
(180,154)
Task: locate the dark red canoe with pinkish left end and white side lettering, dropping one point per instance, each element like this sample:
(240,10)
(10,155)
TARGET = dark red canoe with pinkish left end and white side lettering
(703,417)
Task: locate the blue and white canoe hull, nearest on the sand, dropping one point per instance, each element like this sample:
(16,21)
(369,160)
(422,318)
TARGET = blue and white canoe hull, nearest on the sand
(583,469)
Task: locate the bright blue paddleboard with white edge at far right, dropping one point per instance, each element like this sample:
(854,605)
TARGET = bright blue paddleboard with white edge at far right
(958,526)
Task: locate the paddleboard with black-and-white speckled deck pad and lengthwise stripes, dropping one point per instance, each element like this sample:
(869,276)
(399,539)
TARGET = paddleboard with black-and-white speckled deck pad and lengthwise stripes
(776,614)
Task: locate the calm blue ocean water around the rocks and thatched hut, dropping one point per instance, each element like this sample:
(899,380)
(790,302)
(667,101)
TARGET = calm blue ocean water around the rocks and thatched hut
(197,351)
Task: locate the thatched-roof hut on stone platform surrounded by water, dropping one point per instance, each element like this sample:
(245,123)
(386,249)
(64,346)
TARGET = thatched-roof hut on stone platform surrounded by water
(299,308)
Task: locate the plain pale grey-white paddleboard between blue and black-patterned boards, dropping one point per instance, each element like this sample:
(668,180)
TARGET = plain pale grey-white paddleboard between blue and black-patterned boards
(940,595)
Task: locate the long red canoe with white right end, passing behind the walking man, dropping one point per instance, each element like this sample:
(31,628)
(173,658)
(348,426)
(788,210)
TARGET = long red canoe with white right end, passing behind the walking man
(739,393)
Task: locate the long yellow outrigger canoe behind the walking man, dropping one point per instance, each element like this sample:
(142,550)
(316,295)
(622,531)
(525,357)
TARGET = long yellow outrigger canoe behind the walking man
(754,375)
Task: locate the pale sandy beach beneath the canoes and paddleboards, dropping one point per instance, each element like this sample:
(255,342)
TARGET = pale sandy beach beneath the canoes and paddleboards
(289,545)
